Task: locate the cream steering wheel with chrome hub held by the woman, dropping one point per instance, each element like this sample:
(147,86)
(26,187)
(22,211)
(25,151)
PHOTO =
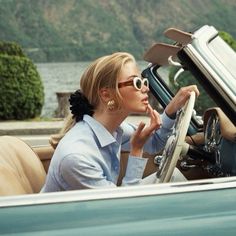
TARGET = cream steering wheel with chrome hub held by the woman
(175,146)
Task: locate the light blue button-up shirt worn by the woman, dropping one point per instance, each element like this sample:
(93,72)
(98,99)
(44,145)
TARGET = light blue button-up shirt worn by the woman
(88,156)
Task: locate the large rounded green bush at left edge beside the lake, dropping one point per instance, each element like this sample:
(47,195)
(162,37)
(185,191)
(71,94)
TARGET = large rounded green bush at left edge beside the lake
(21,88)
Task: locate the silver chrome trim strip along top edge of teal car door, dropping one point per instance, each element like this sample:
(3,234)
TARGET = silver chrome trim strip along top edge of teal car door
(120,192)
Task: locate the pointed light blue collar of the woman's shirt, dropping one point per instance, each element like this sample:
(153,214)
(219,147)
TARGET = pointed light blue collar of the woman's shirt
(103,135)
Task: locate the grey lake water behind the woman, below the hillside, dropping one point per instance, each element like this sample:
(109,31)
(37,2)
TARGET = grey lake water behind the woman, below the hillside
(61,77)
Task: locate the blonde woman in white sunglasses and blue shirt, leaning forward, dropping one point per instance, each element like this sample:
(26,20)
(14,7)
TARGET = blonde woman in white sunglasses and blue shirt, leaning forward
(88,154)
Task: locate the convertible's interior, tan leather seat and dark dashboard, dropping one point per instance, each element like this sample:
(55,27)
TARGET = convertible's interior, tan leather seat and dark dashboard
(23,168)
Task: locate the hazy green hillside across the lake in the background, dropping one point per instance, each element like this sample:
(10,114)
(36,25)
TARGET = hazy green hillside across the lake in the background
(73,30)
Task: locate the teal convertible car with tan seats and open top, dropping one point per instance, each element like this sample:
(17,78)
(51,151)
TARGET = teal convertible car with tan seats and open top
(202,146)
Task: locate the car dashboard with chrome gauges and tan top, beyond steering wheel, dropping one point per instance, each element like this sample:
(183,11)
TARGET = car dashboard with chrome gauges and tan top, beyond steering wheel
(212,153)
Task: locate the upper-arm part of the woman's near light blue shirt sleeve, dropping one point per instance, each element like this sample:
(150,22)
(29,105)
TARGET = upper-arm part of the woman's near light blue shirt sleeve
(79,173)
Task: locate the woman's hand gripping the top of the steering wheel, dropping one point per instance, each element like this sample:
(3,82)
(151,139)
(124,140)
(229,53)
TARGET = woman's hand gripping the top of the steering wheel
(180,99)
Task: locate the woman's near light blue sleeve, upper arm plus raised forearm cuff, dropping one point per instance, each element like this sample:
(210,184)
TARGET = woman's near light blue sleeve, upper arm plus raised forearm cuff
(82,174)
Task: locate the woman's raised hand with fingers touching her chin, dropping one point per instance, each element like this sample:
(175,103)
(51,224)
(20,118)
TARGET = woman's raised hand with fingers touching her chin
(144,131)
